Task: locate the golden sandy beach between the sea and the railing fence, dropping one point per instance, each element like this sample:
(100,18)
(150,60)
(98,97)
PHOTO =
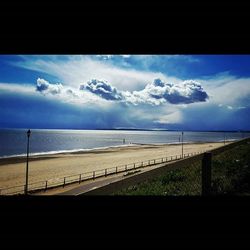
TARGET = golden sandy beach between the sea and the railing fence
(42,168)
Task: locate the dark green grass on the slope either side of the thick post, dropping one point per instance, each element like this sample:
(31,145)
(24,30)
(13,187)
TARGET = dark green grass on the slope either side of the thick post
(230,175)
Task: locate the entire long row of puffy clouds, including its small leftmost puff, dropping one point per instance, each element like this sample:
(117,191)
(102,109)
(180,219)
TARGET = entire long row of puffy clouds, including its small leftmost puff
(155,93)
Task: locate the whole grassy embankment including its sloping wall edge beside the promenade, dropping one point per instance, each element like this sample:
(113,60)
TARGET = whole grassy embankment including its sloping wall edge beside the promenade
(195,175)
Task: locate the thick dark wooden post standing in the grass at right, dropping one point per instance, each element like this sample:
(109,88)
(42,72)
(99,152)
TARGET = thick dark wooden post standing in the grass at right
(206,173)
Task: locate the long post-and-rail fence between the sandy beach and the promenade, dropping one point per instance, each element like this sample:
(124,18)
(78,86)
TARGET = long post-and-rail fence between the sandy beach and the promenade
(78,178)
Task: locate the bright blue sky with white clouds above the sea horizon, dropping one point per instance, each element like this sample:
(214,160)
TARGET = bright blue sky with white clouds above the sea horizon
(174,92)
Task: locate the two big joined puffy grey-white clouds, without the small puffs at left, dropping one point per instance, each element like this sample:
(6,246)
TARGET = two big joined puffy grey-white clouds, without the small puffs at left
(155,93)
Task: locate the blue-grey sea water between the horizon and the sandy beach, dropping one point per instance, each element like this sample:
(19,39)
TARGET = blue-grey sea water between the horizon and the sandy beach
(13,142)
